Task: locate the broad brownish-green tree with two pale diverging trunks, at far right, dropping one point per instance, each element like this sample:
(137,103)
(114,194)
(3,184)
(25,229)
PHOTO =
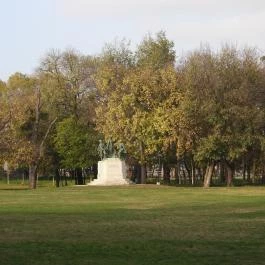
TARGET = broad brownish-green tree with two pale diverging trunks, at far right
(221,88)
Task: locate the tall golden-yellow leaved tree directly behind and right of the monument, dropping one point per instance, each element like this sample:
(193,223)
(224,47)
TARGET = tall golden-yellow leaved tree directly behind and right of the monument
(131,93)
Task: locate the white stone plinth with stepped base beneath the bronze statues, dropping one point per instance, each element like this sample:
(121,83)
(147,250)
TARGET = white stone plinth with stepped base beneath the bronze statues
(111,171)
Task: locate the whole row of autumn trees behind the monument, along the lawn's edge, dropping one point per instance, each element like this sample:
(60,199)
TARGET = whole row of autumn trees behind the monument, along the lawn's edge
(204,109)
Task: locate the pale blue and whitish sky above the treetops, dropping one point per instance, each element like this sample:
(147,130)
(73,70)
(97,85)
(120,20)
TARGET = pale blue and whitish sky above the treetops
(30,28)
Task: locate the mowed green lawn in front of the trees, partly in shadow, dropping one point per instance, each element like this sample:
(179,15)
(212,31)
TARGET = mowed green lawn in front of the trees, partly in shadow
(132,225)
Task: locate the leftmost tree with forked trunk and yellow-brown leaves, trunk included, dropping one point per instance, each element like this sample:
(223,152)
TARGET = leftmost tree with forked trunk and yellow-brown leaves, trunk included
(29,123)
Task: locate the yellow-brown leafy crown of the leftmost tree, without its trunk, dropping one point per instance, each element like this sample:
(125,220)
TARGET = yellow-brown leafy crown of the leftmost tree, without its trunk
(19,110)
